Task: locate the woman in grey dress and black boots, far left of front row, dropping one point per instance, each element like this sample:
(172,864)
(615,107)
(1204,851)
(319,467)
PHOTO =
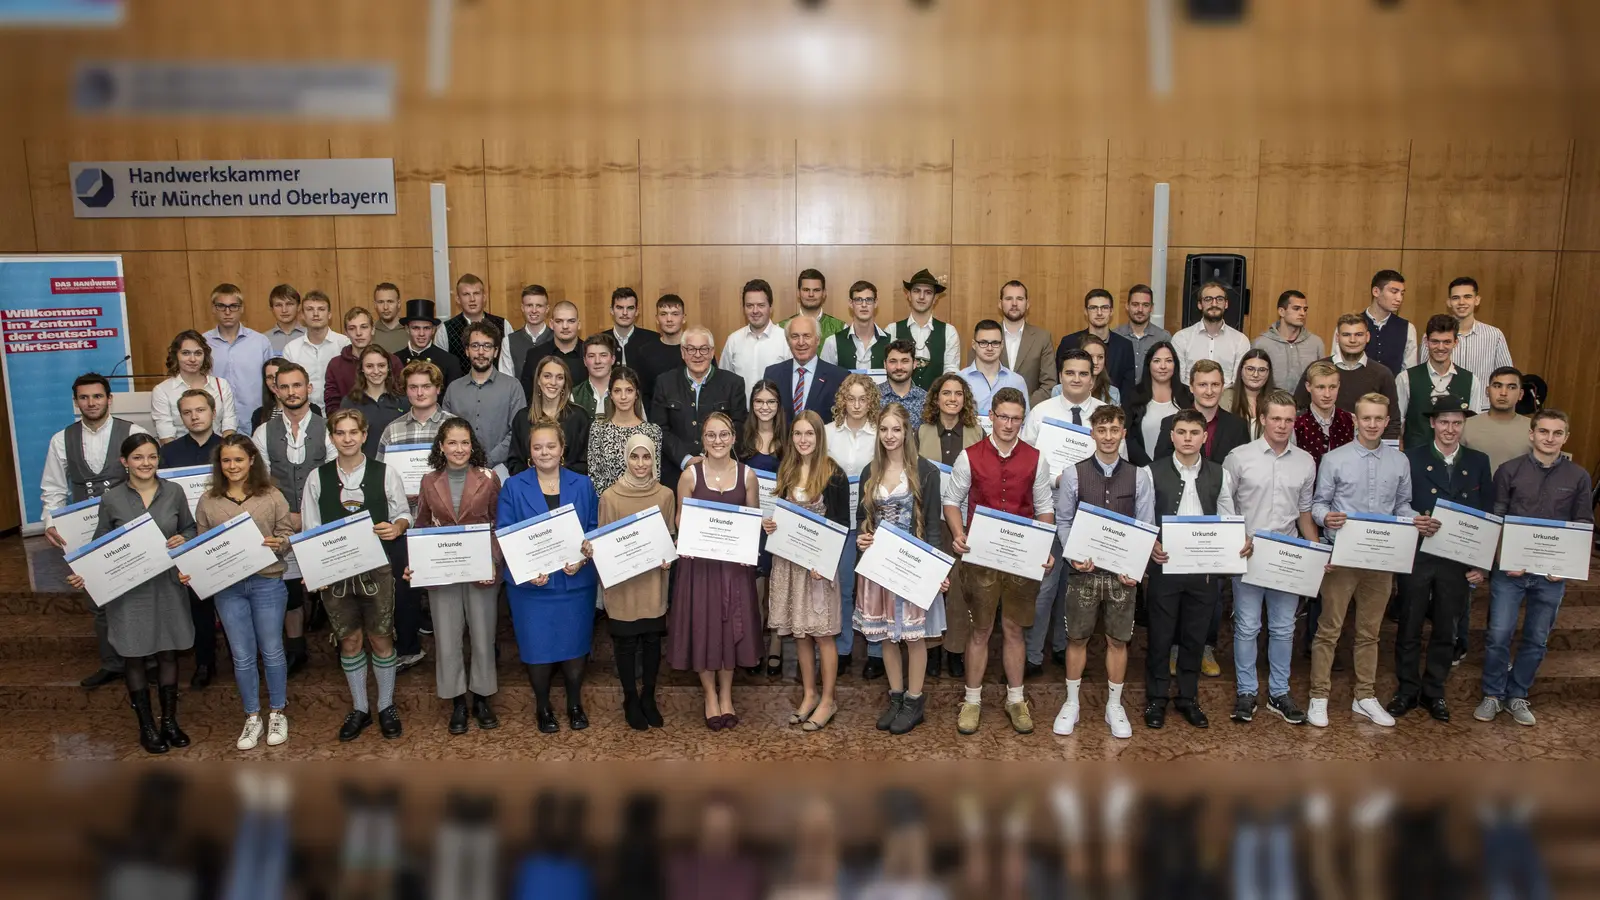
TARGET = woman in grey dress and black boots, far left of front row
(153,619)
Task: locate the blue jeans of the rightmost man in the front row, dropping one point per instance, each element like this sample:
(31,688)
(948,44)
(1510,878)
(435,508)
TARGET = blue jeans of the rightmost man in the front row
(1506,600)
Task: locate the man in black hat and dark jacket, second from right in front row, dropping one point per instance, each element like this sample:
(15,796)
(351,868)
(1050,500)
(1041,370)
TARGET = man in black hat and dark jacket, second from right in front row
(1438,589)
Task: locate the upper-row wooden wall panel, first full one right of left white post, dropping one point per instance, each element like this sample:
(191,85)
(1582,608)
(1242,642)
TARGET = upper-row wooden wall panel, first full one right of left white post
(562,193)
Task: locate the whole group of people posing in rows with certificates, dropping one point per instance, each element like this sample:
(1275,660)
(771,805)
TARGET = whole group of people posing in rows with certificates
(857,424)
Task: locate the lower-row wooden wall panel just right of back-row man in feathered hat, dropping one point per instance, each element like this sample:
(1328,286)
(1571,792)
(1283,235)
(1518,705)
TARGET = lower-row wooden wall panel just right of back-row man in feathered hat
(1057,281)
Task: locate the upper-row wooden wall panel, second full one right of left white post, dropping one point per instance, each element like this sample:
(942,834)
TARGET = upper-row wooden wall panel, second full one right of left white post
(718,191)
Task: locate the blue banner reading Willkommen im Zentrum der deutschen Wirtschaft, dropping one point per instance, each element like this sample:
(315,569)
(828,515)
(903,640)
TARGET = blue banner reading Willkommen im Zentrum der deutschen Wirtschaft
(62,316)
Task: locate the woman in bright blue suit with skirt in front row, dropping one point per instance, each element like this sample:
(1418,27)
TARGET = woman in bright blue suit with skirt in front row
(554,614)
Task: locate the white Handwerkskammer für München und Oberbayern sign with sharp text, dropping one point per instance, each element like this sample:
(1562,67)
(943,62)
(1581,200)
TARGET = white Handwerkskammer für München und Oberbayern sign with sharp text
(233,188)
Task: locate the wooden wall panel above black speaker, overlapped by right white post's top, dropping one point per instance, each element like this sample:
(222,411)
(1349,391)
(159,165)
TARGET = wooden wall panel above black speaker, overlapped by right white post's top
(1214,196)
